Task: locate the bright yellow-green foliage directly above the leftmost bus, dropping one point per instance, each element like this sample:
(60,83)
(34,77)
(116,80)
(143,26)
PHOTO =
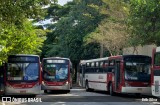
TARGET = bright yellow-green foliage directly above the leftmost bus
(20,40)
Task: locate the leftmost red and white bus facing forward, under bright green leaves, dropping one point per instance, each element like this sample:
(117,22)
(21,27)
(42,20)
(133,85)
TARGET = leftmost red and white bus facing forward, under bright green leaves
(22,75)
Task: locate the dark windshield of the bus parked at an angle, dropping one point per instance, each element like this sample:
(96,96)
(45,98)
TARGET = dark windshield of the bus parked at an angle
(137,71)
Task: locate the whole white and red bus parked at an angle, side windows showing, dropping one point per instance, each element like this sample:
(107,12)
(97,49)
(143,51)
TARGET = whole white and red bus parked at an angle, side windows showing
(118,74)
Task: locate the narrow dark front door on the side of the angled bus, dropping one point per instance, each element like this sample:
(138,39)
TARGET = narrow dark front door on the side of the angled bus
(117,75)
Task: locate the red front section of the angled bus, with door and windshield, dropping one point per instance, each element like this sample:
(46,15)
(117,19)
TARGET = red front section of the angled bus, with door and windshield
(131,74)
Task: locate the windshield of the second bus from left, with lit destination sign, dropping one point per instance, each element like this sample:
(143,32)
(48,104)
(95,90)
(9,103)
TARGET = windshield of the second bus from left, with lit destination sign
(55,72)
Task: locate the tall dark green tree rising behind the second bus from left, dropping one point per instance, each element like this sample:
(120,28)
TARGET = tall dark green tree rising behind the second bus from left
(82,19)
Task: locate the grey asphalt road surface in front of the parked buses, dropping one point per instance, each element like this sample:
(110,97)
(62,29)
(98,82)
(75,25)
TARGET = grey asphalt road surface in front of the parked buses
(78,96)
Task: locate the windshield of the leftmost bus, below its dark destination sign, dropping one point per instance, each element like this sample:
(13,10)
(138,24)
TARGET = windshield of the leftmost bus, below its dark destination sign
(22,71)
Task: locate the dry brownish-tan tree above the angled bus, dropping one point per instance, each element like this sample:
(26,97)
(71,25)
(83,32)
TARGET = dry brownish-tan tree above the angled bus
(112,32)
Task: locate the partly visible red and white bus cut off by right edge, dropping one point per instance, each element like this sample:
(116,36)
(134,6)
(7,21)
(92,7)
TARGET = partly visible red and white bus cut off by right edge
(155,74)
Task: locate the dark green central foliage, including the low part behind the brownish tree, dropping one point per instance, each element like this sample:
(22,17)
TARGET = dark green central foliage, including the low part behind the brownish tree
(79,18)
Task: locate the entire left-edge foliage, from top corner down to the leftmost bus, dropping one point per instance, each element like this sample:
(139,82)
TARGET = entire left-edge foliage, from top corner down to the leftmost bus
(17,35)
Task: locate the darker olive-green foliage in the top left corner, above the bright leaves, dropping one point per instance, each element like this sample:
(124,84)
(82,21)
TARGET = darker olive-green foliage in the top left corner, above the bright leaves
(14,11)
